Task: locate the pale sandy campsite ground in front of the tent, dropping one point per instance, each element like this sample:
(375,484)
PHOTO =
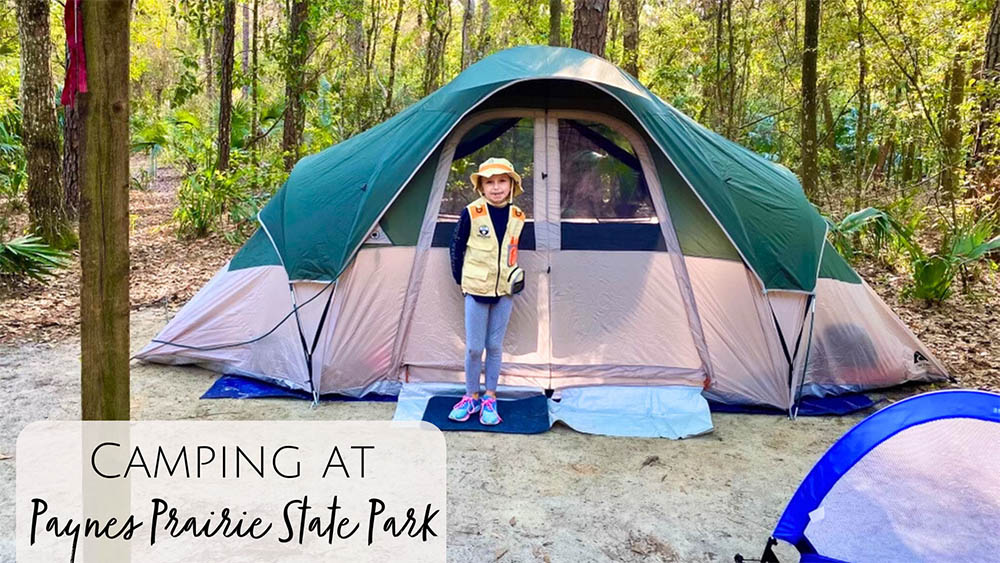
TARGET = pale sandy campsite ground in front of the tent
(557,496)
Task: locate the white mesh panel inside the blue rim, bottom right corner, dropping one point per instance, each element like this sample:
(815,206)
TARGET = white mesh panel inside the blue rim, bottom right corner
(934,480)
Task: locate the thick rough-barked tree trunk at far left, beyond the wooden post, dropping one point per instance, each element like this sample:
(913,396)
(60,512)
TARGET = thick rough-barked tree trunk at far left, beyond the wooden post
(39,130)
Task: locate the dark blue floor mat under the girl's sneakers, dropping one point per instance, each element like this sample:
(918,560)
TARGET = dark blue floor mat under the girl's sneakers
(529,415)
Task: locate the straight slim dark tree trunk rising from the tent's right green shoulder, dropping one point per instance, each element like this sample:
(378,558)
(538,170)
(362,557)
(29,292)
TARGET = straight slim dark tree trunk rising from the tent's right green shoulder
(810,157)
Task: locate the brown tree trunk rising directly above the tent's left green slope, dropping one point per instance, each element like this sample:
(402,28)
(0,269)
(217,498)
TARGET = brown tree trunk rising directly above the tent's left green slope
(298,42)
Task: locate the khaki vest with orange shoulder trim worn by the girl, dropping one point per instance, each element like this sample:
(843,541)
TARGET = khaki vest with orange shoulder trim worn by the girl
(488,263)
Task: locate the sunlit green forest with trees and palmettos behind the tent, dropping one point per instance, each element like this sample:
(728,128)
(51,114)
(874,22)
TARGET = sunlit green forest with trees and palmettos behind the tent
(886,109)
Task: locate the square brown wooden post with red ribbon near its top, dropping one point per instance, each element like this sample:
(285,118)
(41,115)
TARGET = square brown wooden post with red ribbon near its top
(104,260)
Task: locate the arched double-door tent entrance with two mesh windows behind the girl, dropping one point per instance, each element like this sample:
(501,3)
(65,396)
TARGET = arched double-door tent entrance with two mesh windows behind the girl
(606,299)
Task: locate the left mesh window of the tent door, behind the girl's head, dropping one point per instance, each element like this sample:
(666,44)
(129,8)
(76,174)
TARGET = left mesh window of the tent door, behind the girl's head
(510,138)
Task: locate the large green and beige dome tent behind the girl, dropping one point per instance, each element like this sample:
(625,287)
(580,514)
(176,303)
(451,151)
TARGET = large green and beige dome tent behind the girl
(657,253)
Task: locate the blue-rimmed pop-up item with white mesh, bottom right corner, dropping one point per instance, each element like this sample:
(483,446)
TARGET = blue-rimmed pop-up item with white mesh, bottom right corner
(916,481)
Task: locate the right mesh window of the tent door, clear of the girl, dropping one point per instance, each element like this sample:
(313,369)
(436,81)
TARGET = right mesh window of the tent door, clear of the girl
(604,196)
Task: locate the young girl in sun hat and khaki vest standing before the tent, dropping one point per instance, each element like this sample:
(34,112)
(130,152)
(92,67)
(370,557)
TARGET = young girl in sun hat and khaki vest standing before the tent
(484,263)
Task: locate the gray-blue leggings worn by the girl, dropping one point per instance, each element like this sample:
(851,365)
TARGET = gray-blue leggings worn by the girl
(485,326)
